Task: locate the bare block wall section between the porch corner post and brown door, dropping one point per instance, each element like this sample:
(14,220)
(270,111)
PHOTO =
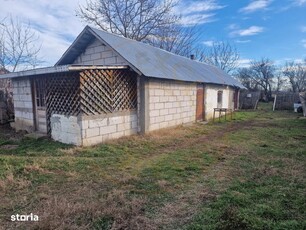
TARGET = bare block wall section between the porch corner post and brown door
(170,103)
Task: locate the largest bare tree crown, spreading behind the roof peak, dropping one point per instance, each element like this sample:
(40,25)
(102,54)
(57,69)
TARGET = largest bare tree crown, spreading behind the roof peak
(135,19)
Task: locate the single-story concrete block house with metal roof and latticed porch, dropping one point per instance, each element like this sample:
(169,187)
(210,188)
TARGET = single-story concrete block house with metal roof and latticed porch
(106,86)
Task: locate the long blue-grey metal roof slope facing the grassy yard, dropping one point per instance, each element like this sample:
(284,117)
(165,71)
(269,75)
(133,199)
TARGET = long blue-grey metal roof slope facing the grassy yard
(158,63)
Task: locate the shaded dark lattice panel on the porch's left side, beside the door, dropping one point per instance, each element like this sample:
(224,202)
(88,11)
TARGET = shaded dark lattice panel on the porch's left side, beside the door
(62,95)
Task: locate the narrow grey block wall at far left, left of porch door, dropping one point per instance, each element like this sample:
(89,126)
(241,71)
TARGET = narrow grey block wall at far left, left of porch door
(23,105)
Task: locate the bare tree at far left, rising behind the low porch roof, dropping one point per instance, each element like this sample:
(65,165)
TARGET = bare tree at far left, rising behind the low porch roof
(19,46)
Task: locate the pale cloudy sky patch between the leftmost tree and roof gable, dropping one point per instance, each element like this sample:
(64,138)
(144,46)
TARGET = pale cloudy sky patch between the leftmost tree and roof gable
(54,21)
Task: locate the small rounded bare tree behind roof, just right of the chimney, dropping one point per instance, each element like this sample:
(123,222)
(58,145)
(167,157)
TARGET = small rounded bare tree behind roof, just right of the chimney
(223,55)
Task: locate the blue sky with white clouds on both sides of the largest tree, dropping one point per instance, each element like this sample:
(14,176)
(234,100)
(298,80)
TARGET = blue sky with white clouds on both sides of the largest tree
(275,29)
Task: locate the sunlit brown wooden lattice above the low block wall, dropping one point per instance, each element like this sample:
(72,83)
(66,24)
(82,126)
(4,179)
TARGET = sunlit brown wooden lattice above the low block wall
(107,91)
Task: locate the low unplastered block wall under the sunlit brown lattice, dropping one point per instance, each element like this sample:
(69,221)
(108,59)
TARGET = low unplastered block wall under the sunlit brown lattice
(100,128)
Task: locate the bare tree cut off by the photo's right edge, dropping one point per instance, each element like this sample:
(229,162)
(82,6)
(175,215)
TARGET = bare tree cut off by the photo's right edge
(296,74)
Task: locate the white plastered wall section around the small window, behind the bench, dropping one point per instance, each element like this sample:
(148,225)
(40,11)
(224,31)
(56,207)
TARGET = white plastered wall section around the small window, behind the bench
(211,99)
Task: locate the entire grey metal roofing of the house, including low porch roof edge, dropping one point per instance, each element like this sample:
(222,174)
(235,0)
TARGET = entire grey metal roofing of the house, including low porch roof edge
(143,58)
